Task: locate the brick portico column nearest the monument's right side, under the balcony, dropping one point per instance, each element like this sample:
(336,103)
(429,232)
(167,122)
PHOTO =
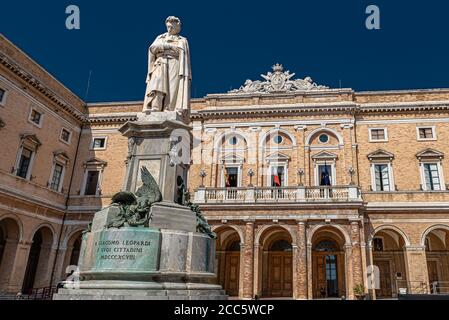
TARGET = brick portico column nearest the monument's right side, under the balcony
(247,275)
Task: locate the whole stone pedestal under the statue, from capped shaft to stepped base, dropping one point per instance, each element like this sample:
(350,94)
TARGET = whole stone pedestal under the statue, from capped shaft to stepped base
(167,259)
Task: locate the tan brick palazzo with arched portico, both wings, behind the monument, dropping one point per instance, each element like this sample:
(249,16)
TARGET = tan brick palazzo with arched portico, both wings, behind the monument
(312,191)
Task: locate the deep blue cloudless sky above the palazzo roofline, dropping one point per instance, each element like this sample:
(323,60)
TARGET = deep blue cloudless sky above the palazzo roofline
(232,41)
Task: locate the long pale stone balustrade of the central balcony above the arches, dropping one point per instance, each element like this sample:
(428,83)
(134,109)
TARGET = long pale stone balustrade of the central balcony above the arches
(278,194)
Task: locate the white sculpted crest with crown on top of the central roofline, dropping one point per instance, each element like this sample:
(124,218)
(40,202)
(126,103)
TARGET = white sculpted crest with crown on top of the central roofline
(278,81)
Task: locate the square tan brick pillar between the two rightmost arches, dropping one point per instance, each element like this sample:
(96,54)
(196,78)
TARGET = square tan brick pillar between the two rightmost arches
(416,267)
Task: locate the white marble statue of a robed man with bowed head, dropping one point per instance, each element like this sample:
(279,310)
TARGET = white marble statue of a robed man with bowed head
(169,71)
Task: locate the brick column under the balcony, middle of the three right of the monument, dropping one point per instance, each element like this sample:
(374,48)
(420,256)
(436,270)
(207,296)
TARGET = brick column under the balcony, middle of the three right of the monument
(300,258)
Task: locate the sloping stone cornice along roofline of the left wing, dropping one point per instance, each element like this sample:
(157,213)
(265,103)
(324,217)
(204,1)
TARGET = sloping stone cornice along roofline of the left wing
(41,87)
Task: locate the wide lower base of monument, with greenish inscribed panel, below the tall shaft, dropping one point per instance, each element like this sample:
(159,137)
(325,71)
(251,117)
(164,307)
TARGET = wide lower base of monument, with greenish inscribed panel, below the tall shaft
(145,263)
